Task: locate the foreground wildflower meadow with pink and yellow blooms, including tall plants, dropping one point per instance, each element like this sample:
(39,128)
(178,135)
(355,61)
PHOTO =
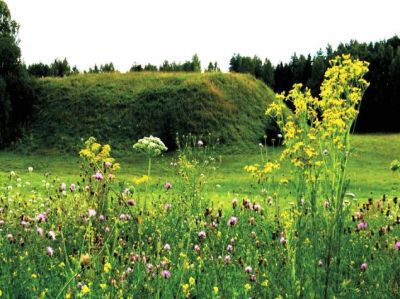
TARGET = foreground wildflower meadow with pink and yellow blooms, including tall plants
(301,233)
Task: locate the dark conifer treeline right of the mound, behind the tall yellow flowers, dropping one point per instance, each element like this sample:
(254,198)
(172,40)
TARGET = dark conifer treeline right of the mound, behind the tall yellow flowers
(380,108)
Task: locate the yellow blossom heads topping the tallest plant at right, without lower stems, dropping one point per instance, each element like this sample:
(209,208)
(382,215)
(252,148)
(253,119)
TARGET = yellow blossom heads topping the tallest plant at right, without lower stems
(319,122)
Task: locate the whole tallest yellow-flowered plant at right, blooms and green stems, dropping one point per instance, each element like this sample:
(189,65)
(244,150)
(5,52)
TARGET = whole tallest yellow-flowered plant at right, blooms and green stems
(317,144)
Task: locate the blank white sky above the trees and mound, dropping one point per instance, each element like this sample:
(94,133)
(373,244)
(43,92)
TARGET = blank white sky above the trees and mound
(122,31)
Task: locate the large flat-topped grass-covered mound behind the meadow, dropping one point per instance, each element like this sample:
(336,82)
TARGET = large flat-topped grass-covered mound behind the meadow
(120,108)
